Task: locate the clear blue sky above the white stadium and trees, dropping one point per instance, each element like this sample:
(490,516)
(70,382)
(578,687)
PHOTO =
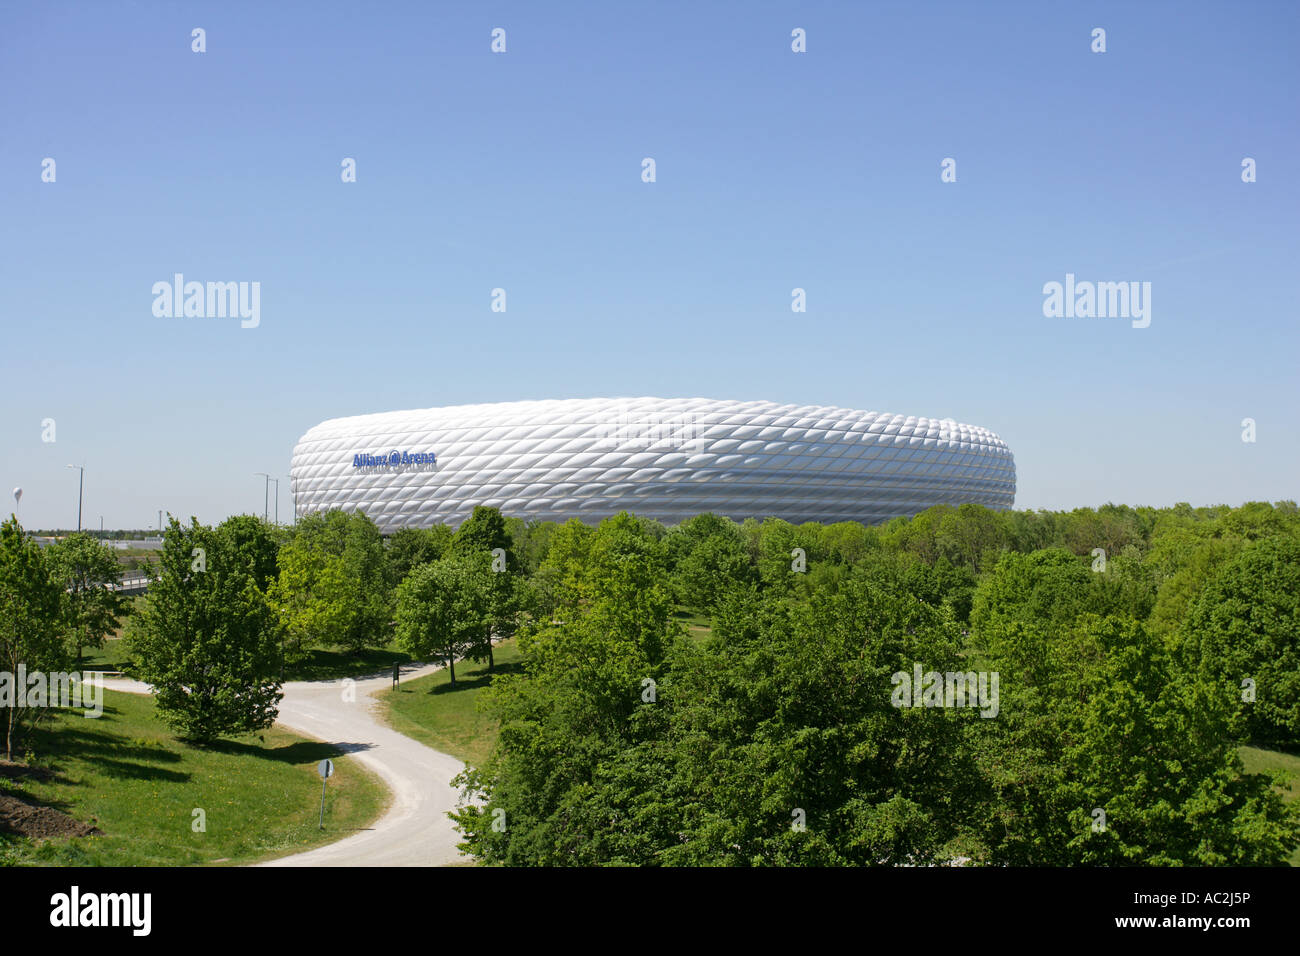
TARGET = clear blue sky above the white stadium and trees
(523,171)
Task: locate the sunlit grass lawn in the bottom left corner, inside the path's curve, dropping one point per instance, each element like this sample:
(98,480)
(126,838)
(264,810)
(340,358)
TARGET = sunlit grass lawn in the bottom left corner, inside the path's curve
(128,775)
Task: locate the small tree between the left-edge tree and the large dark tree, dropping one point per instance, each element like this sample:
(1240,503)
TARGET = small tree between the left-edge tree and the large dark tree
(86,572)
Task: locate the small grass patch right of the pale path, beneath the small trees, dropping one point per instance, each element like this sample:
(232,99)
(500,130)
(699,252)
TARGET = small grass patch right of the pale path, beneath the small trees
(449,719)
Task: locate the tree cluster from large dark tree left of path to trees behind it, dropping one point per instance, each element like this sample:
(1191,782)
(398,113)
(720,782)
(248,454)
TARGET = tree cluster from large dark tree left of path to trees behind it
(239,608)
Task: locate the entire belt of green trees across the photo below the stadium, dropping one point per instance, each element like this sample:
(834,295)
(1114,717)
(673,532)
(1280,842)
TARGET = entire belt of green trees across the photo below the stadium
(1121,657)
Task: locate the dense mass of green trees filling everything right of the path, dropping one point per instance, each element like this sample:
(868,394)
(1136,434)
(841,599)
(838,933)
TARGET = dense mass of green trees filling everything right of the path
(1134,650)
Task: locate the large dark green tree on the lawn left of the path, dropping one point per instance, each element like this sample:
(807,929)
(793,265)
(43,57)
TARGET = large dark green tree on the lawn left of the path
(207,635)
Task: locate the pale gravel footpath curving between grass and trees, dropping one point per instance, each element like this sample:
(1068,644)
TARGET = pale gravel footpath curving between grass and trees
(415,830)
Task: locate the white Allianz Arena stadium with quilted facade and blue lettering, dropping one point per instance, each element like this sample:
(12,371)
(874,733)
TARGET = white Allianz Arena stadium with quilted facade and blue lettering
(662,458)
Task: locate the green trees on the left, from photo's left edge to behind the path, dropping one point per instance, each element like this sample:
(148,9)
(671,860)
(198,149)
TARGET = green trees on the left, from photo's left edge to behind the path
(235,609)
